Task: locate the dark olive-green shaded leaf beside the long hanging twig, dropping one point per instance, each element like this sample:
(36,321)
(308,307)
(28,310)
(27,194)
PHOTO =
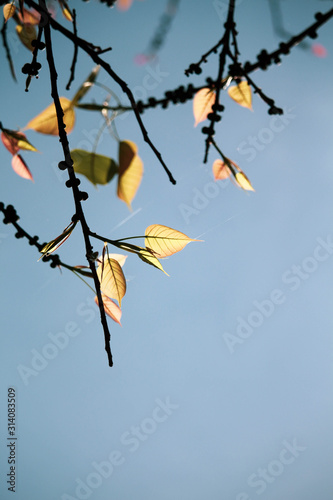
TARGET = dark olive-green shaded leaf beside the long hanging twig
(98,169)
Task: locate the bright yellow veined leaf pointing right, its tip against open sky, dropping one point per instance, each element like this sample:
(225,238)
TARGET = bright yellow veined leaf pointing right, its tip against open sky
(164,241)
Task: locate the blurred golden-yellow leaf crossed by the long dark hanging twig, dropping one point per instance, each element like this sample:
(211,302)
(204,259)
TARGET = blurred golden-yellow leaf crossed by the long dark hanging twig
(46,122)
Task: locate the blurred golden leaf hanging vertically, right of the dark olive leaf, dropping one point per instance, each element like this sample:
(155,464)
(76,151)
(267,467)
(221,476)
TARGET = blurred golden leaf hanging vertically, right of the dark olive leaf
(130,171)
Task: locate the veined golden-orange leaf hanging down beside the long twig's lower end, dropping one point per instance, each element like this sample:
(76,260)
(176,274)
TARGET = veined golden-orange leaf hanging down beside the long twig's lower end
(112,279)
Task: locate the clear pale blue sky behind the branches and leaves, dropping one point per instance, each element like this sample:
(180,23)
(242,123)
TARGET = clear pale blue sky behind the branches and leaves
(222,379)
